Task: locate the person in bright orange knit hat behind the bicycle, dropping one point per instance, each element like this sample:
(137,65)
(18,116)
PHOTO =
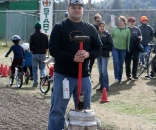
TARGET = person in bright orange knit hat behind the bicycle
(147,35)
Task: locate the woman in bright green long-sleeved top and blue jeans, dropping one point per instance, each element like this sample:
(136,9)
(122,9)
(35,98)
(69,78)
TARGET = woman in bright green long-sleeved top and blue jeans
(121,42)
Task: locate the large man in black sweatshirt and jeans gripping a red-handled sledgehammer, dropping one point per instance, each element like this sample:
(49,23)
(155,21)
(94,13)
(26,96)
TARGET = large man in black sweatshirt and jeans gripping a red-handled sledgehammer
(67,57)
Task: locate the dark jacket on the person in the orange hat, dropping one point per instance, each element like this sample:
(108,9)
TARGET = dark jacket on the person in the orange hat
(147,33)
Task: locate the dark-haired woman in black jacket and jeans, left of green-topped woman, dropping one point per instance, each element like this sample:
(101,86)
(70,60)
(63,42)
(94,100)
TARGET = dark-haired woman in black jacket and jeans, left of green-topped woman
(102,61)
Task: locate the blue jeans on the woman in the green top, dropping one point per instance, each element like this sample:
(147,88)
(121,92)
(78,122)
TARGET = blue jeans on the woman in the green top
(118,60)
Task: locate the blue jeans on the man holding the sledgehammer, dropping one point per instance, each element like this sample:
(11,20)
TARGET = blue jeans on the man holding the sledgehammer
(59,105)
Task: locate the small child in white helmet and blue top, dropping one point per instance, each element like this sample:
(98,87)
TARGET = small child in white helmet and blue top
(27,63)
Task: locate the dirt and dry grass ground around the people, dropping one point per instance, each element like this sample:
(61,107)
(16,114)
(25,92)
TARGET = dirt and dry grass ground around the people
(28,108)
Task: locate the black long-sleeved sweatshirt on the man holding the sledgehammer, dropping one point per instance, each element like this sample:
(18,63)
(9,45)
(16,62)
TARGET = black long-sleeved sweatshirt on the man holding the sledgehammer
(63,48)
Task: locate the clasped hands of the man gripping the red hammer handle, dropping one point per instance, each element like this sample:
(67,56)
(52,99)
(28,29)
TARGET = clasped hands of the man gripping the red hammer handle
(81,55)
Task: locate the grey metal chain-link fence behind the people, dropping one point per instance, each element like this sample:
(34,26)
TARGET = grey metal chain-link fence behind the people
(22,22)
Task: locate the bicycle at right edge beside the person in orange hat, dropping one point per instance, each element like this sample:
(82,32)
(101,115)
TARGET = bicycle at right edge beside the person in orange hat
(149,64)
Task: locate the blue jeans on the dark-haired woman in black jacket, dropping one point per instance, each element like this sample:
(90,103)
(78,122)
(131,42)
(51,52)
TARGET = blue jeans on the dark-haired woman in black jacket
(102,63)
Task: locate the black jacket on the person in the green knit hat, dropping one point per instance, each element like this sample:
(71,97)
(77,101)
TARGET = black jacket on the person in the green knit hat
(38,42)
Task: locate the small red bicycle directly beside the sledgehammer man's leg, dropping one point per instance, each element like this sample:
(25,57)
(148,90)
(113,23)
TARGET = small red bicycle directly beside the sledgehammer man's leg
(45,81)
